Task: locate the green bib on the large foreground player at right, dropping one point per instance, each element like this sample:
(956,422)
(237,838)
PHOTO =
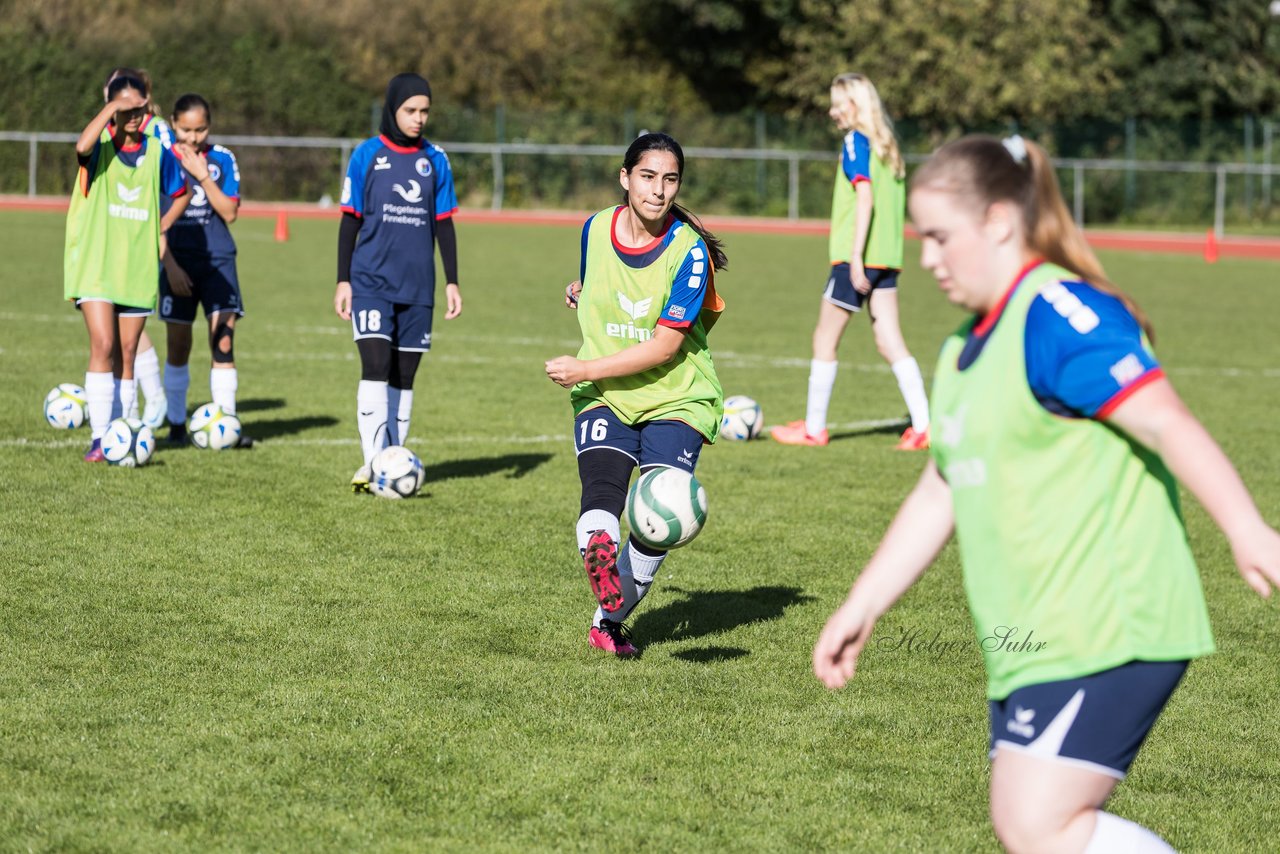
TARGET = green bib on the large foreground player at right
(1075,552)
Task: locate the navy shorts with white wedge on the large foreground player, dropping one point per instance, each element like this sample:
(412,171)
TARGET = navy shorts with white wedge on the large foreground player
(1096,721)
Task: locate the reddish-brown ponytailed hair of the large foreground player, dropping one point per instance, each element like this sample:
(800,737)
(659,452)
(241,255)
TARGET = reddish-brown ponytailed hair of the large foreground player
(988,171)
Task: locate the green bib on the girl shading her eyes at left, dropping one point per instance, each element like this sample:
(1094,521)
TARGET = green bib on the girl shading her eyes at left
(113,234)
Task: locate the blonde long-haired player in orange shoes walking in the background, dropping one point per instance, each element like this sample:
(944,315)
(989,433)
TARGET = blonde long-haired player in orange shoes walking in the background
(867,218)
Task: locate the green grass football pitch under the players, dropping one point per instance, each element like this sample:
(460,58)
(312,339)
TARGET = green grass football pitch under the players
(234,652)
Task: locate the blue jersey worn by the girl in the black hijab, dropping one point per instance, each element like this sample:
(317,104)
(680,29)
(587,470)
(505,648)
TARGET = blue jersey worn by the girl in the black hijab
(400,194)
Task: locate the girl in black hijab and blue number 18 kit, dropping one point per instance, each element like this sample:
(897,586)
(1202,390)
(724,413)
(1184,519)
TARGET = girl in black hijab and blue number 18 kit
(397,203)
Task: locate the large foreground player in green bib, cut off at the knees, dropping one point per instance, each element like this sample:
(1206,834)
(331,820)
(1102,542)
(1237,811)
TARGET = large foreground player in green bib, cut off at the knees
(1054,460)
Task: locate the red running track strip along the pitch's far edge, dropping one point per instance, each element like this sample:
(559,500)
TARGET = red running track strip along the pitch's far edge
(1181,244)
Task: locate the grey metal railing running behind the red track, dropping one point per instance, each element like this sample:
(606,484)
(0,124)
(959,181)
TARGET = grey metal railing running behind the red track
(1258,186)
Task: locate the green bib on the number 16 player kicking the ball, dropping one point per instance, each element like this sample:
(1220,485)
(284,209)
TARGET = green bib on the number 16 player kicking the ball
(620,308)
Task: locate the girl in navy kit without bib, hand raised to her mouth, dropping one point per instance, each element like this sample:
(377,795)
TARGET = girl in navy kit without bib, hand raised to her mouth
(202,267)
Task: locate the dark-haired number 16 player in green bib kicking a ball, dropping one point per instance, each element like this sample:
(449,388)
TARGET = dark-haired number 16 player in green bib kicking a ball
(644,387)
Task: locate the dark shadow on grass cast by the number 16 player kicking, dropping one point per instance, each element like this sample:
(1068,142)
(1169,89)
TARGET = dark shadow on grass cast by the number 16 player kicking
(707,613)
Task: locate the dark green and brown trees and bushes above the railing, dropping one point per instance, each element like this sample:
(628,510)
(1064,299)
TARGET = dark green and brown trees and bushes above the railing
(314,67)
